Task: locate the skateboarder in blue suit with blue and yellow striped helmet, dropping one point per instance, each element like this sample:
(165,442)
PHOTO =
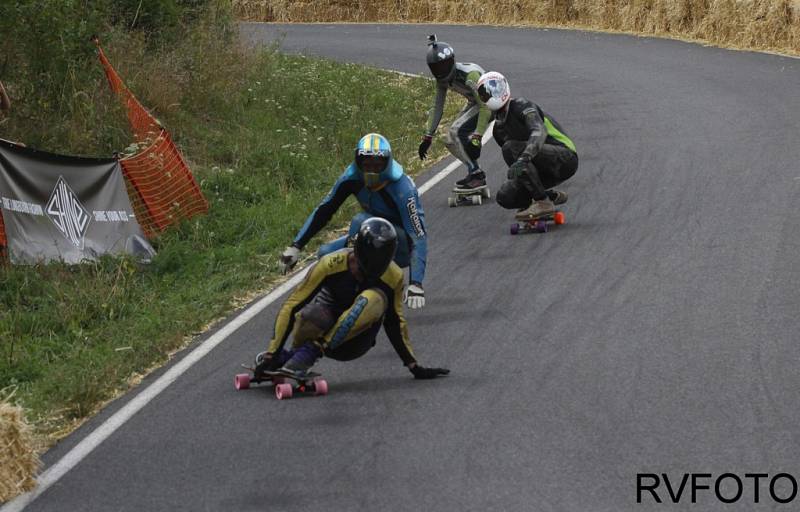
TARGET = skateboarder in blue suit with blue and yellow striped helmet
(383,190)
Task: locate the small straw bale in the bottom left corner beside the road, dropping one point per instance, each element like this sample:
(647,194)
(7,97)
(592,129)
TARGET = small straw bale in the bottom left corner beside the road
(18,462)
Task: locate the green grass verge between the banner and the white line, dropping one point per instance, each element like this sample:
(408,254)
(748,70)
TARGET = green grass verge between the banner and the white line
(266,135)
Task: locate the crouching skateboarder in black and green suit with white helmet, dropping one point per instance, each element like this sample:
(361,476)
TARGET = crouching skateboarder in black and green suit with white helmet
(536,149)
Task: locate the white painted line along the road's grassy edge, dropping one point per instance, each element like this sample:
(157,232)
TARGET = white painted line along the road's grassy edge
(101,433)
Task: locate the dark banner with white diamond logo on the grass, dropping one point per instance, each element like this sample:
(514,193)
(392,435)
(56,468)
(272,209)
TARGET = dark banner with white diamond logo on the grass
(64,208)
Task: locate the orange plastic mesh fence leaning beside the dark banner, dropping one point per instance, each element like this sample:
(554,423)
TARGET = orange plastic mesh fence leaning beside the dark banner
(160,184)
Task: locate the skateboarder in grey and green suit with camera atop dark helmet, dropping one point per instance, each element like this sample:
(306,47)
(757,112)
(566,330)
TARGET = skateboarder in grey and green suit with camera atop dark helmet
(465,134)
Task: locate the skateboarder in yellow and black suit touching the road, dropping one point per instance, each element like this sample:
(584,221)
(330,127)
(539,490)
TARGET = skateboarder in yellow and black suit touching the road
(341,305)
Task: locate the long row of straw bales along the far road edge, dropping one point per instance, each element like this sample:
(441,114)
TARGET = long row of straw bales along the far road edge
(753,24)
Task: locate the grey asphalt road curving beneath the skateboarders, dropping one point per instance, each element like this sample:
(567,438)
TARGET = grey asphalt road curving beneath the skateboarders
(655,332)
